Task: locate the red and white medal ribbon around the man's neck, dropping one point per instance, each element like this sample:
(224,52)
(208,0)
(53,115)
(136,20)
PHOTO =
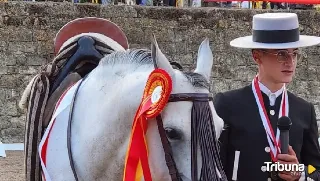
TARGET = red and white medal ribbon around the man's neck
(274,141)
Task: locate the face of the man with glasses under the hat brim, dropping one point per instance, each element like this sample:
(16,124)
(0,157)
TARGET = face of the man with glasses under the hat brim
(277,65)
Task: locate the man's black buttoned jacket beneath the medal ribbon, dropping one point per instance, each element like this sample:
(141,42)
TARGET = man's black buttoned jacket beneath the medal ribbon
(245,133)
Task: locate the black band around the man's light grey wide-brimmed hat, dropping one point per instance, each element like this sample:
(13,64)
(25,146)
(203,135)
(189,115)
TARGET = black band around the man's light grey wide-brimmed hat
(276,36)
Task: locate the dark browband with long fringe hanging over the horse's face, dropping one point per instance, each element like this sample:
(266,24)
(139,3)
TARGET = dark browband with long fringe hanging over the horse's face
(202,133)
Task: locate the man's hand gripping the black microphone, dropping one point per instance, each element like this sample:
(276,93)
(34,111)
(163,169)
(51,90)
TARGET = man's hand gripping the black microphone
(289,158)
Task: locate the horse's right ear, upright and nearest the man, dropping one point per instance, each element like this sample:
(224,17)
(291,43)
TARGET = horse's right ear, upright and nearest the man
(204,60)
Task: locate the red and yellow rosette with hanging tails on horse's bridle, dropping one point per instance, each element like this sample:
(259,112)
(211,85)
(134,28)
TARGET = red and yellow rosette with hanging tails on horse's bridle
(156,95)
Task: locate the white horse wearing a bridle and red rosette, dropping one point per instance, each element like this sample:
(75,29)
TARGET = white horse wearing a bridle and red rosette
(104,112)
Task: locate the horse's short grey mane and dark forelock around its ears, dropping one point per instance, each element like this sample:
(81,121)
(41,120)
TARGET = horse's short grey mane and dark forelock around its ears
(139,57)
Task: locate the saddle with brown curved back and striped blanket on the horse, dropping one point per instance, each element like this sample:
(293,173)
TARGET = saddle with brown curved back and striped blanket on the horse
(77,54)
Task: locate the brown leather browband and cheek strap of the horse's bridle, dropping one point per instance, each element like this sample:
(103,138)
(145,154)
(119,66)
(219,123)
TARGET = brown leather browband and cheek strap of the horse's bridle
(173,171)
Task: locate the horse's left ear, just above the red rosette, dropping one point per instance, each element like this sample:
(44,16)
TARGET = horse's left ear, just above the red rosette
(159,59)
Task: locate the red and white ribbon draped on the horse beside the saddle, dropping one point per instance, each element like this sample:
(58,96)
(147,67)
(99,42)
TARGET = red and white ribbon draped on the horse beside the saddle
(63,104)
